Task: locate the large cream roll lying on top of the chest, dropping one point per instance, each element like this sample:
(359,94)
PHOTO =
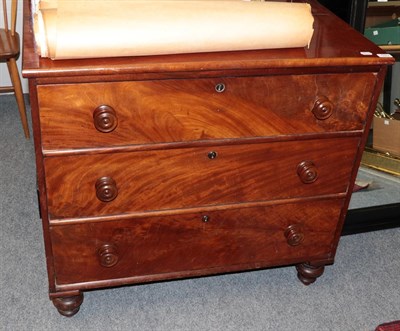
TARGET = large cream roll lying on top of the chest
(91,28)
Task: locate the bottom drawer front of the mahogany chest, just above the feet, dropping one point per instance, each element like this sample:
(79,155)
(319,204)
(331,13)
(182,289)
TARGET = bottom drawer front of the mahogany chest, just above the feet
(281,234)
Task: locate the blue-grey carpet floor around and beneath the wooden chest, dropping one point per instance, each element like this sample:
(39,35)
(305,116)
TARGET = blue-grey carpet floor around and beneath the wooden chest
(360,291)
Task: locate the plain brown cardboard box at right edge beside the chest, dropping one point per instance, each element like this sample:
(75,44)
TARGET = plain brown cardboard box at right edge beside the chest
(386,135)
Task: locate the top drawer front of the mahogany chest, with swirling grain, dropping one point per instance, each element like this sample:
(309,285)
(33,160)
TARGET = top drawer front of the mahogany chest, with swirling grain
(145,112)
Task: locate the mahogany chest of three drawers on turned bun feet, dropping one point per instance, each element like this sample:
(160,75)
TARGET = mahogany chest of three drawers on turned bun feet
(163,167)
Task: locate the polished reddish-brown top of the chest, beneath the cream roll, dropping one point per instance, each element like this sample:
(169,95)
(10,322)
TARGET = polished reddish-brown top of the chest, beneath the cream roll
(334,45)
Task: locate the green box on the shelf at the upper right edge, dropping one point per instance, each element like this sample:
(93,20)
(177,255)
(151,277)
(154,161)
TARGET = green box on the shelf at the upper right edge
(387,33)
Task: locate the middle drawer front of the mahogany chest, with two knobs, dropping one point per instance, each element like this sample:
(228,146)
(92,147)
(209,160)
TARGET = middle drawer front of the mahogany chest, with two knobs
(107,184)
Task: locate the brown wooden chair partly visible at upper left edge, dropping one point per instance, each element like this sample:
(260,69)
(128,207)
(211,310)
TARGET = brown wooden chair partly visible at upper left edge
(9,52)
